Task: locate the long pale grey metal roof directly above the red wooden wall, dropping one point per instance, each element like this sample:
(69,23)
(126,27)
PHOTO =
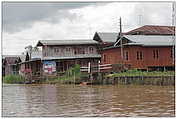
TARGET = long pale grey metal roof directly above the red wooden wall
(151,40)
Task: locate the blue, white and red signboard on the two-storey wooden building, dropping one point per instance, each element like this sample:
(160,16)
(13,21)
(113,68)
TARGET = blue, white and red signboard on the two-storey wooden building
(49,67)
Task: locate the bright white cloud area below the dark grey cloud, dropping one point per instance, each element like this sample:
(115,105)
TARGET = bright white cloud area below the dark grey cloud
(86,21)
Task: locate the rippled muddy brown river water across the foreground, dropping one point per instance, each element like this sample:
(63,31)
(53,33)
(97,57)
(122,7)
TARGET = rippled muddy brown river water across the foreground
(82,101)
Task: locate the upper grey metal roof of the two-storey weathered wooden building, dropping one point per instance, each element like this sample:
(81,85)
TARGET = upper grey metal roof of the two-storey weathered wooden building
(66,42)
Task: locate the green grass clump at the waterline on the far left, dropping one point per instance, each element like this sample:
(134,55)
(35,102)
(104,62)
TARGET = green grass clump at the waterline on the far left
(13,79)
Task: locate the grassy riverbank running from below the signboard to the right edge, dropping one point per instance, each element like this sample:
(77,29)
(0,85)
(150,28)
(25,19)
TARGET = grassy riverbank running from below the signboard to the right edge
(134,77)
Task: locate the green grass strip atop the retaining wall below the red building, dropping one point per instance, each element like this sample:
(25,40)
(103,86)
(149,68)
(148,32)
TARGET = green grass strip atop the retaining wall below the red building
(141,73)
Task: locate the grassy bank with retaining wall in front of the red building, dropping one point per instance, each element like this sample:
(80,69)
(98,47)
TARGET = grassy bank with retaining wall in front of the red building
(136,77)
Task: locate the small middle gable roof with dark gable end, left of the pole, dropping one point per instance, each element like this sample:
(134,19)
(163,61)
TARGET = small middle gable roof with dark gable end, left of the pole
(109,37)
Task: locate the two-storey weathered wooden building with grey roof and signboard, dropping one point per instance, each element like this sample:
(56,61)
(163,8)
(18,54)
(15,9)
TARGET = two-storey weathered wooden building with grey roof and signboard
(60,55)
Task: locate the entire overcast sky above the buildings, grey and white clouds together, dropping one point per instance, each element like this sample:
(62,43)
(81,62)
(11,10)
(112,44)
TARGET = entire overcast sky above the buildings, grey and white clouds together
(26,23)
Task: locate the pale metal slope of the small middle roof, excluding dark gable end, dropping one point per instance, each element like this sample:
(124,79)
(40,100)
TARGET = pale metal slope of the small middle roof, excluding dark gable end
(108,37)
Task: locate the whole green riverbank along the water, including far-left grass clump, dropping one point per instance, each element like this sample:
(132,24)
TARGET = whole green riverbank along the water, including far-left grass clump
(135,77)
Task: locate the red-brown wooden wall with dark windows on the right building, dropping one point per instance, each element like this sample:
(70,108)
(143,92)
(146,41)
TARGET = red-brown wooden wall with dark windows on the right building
(150,56)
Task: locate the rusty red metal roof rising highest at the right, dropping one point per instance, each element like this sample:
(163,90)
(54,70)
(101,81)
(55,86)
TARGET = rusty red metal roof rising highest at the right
(152,30)
